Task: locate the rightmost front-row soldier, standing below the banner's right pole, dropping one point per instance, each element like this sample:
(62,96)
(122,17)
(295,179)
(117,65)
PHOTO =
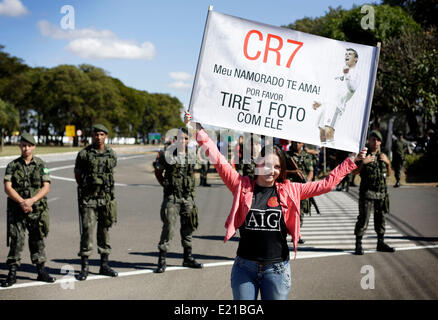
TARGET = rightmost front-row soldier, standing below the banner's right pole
(373,193)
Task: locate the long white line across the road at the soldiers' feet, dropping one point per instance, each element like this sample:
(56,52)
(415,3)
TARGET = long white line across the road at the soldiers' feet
(206,265)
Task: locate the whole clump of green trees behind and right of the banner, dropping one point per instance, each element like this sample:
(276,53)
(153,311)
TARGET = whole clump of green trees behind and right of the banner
(406,78)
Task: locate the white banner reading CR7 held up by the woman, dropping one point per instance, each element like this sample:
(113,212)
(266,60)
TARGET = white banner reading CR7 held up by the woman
(283,83)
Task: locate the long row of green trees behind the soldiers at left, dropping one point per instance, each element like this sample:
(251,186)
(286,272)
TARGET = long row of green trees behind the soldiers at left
(47,99)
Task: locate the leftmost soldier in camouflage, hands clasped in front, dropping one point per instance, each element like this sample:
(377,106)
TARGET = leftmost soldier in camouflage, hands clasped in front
(27,183)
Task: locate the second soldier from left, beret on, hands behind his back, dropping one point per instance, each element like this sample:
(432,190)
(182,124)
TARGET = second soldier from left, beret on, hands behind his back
(94,173)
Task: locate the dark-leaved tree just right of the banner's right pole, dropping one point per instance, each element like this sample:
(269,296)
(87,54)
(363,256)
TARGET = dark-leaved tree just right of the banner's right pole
(407,81)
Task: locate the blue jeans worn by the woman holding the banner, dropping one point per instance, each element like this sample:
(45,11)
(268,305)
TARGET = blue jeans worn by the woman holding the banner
(248,277)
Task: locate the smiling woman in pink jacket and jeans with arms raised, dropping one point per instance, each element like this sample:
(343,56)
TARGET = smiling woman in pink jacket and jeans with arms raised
(265,210)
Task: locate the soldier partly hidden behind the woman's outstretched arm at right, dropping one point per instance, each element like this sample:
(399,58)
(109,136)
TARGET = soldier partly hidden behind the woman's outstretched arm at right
(304,162)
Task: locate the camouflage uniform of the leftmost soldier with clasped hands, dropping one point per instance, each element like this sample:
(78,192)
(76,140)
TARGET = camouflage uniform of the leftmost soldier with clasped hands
(27,180)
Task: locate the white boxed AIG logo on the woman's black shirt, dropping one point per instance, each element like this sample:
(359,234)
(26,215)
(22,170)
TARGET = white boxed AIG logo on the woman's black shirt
(265,220)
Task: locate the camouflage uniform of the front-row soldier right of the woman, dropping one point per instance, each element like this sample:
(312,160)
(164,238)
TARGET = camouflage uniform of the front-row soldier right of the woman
(373,194)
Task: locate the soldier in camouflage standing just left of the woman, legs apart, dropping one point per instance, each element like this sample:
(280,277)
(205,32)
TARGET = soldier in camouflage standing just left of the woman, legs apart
(174,171)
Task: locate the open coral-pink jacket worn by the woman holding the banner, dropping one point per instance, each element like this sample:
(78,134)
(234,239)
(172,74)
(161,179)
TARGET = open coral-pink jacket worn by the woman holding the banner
(289,193)
